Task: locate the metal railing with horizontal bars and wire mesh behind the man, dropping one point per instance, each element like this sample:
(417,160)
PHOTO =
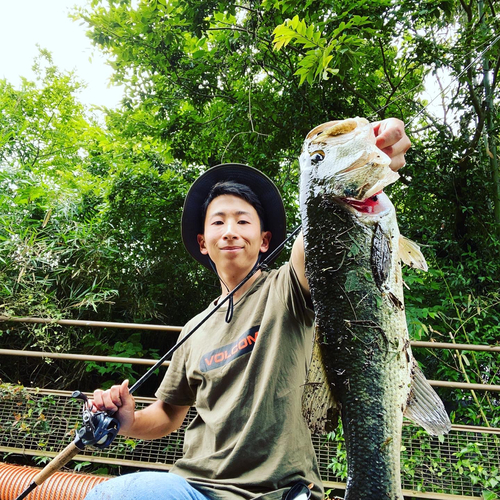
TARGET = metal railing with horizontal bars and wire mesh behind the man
(160,454)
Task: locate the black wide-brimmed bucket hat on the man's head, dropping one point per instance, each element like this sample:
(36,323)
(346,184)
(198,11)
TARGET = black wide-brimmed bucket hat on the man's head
(192,222)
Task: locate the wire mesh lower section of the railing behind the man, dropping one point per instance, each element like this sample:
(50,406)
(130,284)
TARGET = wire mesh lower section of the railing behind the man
(23,431)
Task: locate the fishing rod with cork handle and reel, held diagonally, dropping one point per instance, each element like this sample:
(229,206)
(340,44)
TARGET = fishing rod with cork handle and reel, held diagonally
(100,427)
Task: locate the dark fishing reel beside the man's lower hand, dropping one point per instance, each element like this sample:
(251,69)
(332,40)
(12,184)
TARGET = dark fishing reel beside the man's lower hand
(99,428)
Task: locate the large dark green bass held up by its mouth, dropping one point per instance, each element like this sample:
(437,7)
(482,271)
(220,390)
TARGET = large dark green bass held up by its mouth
(353,265)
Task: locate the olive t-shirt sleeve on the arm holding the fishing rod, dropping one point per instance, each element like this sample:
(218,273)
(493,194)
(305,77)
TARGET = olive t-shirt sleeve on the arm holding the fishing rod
(175,388)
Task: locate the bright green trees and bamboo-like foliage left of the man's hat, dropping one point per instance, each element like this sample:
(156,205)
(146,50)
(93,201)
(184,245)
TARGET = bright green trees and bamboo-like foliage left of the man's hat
(89,228)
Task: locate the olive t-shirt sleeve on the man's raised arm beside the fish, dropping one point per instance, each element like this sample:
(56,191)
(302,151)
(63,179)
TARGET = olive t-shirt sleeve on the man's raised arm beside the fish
(292,295)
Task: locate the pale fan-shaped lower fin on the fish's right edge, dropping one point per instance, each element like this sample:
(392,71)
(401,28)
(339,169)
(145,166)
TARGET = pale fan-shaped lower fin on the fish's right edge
(424,407)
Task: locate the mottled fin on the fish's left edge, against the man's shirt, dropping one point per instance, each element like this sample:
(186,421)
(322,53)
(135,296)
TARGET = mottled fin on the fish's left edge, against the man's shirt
(319,407)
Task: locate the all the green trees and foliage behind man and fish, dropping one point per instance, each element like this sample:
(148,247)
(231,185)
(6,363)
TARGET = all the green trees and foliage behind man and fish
(90,212)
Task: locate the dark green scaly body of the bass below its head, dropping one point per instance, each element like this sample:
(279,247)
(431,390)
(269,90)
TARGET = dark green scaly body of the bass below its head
(365,355)
